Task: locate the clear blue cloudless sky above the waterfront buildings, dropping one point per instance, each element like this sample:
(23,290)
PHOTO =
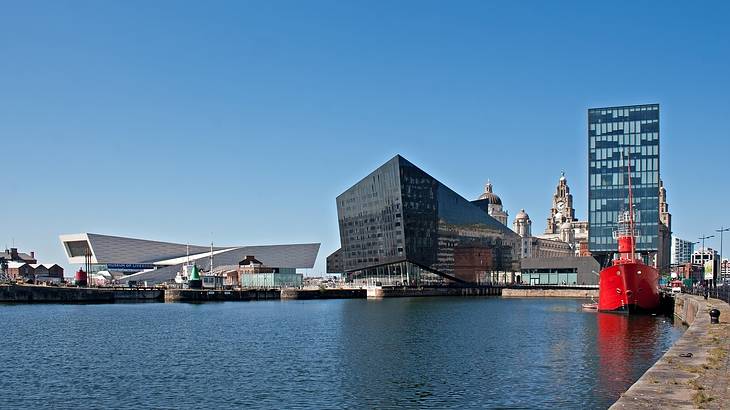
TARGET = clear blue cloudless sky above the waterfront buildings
(175,120)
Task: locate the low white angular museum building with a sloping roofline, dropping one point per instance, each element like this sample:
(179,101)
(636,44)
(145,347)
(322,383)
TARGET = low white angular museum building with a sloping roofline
(141,260)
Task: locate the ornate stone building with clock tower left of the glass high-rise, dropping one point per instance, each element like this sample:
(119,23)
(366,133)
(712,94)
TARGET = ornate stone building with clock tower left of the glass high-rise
(562,224)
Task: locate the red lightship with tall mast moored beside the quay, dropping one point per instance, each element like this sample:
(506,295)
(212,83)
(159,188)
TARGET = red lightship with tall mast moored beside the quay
(629,285)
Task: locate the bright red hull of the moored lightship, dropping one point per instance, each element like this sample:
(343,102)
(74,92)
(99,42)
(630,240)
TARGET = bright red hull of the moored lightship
(629,287)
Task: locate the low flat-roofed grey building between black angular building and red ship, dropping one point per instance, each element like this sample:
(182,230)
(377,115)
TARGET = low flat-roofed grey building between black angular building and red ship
(564,271)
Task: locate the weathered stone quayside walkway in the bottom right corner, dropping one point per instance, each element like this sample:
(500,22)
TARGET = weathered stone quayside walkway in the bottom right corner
(679,381)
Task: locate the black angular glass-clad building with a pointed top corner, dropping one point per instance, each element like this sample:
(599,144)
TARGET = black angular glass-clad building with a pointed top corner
(400,226)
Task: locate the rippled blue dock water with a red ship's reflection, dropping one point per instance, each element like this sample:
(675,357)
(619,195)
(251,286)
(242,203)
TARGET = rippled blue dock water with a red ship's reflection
(419,352)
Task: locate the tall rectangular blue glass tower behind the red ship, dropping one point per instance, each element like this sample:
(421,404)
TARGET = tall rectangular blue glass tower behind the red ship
(616,134)
